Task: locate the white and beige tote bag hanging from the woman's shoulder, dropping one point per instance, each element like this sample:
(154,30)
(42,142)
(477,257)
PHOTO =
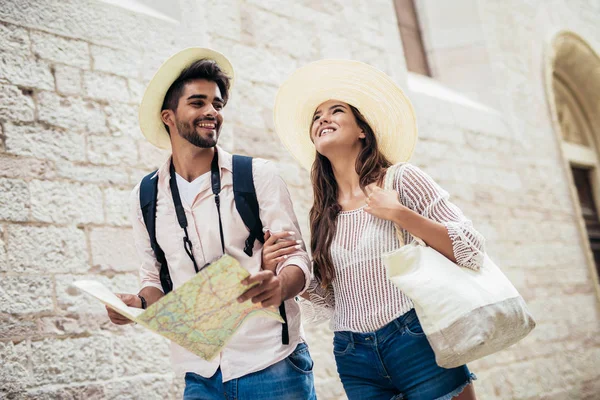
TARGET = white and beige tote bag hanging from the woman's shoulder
(465,314)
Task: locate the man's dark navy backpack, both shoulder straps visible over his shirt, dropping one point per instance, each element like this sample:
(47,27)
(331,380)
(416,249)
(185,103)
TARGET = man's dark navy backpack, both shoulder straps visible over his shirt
(246,203)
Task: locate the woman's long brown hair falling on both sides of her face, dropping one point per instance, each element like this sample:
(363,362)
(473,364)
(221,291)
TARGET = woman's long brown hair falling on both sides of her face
(371,165)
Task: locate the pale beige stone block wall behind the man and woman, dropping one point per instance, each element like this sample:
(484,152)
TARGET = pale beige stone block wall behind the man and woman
(71,76)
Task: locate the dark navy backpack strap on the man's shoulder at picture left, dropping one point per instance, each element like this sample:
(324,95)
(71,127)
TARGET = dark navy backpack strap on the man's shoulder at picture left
(148,193)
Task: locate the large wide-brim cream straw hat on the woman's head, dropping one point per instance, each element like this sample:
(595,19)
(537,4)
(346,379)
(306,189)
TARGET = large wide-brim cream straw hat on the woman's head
(383,104)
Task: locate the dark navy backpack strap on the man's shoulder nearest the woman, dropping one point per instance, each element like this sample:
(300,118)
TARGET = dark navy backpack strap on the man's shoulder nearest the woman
(246,203)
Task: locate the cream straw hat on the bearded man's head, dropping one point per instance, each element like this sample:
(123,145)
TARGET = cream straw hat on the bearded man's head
(149,114)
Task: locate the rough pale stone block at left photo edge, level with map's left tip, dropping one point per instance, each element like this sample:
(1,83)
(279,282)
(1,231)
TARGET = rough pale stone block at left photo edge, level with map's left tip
(26,295)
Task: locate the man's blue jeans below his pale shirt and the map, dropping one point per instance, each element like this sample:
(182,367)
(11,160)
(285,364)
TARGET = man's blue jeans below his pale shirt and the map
(289,379)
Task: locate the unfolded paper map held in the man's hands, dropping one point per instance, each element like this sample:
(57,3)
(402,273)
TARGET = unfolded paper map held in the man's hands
(201,315)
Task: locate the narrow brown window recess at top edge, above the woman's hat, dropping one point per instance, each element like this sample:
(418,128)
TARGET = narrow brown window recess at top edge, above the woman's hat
(410,32)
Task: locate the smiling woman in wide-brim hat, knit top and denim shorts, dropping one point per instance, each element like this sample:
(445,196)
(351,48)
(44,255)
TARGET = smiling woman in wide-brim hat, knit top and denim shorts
(361,123)
